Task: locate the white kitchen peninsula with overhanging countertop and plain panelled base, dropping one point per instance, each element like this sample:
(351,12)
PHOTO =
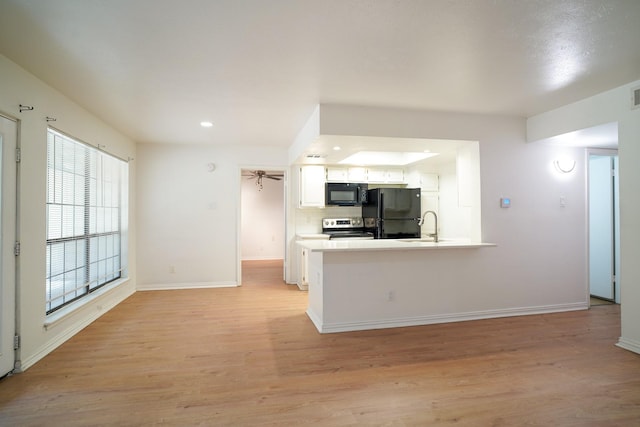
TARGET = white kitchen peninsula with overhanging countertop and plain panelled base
(384,283)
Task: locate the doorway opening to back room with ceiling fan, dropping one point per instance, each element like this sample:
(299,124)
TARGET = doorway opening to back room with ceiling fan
(262,217)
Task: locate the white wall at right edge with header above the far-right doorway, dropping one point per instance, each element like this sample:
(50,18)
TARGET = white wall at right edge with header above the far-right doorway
(612,106)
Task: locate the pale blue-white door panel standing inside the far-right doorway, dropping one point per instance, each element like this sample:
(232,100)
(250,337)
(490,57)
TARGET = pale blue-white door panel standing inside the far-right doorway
(601,226)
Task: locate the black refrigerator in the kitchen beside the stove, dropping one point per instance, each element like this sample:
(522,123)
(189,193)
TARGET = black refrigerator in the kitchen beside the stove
(392,213)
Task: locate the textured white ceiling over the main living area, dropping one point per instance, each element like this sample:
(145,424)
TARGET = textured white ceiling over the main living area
(155,68)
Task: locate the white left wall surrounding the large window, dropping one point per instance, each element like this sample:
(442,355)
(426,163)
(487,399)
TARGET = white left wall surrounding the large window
(19,87)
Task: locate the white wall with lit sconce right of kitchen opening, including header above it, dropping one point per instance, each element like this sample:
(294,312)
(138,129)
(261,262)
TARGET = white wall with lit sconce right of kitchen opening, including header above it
(540,258)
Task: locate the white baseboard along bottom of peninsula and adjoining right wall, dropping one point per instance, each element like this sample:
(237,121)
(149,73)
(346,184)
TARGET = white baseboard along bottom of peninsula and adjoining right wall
(440,318)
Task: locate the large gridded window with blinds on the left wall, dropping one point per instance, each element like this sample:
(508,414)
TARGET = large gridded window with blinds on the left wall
(85,217)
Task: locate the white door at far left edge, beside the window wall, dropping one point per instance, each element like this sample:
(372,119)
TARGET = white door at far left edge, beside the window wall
(8,138)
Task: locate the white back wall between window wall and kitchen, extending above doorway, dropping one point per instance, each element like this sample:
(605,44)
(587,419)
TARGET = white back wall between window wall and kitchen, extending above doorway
(188,232)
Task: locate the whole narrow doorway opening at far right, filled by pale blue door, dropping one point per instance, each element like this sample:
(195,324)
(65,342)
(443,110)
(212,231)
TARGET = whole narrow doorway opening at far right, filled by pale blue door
(604,225)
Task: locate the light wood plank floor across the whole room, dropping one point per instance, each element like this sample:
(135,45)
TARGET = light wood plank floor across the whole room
(249,356)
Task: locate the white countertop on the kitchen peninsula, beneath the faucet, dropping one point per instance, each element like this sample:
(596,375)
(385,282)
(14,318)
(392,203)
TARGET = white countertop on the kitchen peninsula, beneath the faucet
(343,245)
